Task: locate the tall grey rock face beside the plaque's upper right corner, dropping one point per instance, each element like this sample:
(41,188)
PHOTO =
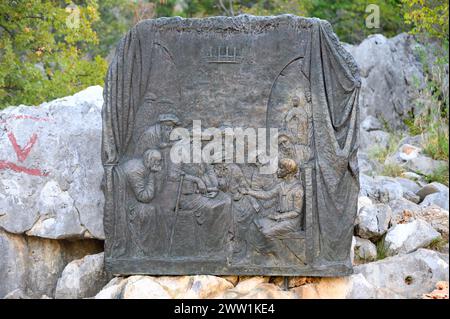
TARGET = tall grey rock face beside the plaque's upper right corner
(389,69)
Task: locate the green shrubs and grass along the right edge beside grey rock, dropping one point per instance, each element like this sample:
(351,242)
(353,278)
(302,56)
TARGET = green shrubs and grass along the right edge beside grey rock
(430,21)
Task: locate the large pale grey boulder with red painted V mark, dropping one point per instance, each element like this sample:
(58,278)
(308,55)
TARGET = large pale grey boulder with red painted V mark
(50,167)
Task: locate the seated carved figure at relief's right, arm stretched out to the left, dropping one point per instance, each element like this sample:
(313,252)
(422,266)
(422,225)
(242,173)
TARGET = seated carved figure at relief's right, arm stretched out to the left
(289,193)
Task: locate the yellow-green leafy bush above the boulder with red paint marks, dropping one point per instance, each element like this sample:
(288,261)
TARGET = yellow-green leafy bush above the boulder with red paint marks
(42,55)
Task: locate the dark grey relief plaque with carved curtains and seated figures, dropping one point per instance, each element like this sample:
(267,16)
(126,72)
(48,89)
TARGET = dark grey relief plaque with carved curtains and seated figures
(229,147)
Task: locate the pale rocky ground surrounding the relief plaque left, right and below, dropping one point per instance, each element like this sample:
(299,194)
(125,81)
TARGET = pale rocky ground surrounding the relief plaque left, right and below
(51,233)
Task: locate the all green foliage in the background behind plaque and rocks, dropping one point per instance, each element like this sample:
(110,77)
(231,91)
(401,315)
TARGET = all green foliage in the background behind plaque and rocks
(41,57)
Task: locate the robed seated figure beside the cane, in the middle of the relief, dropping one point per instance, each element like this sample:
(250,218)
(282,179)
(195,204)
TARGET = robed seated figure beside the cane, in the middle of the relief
(205,212)
